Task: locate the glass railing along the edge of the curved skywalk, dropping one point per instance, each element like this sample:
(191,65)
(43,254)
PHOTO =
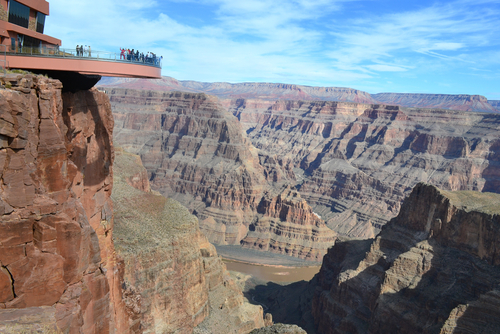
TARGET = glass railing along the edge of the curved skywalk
(73,53)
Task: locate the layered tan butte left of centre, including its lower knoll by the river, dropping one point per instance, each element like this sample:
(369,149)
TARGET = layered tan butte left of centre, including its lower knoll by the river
(195,151)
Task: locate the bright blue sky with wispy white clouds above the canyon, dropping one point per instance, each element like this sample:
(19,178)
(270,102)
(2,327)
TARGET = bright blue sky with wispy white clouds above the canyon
(447,47)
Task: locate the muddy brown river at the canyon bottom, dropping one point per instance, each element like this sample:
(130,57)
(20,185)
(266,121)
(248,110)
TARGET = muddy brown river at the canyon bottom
(273,273)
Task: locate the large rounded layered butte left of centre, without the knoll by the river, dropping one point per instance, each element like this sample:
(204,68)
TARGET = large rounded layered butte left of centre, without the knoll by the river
(195,152)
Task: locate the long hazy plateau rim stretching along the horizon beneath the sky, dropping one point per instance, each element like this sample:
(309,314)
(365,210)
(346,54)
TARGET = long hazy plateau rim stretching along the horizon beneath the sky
(262,92)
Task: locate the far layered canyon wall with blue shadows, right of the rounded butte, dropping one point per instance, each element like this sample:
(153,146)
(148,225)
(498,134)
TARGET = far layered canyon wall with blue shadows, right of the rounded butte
(354,163)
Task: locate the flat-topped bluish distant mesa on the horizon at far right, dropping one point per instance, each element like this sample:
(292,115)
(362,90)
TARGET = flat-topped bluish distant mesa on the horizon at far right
(443,101)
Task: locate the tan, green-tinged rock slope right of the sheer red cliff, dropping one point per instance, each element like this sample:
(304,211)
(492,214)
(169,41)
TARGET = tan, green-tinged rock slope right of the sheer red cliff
(174,282)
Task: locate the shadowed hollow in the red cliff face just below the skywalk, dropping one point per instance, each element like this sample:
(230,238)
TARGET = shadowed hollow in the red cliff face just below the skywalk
(91,149)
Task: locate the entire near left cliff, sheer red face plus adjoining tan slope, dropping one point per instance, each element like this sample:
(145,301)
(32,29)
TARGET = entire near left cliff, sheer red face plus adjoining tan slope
(59,269)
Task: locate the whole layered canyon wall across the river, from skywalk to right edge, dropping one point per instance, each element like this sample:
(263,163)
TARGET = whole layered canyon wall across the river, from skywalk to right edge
(351,163)
